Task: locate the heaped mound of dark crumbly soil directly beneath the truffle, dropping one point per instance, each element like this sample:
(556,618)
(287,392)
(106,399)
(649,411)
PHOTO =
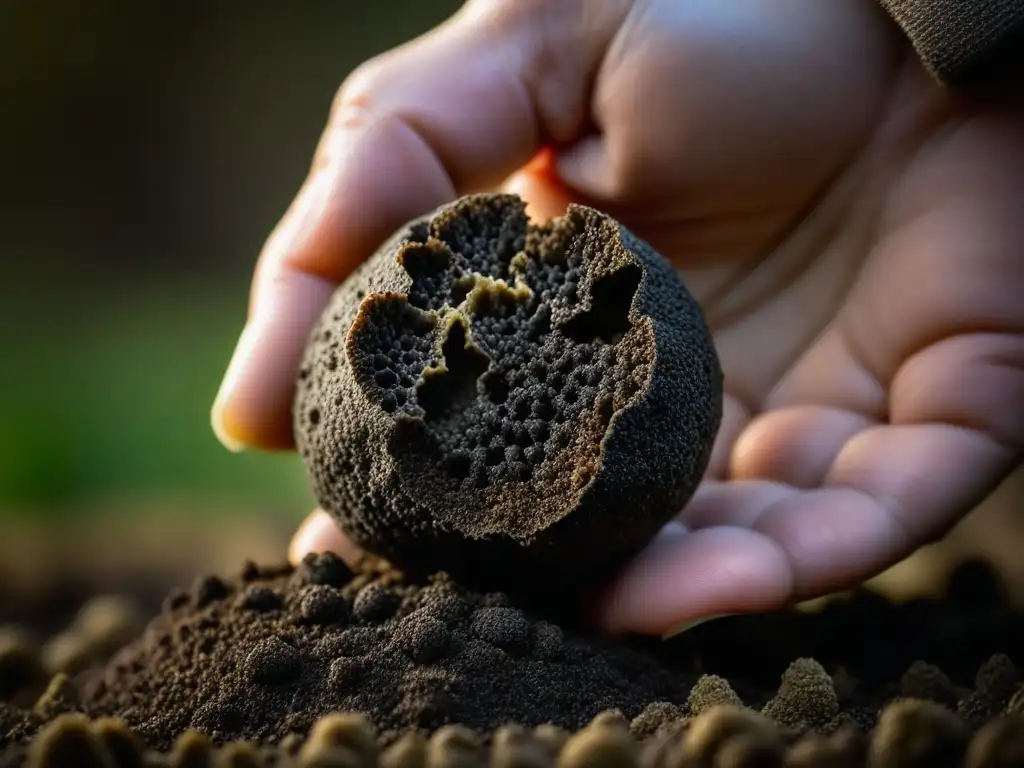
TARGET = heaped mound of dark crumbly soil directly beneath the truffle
(267,657)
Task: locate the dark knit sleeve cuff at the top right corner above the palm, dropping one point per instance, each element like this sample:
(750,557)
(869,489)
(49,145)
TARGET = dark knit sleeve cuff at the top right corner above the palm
(964,42)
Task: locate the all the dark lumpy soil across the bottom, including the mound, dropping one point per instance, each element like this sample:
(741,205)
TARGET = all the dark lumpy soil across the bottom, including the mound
(254,669)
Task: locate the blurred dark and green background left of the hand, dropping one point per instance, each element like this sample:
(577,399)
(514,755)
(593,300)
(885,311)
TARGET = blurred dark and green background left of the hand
(147,150)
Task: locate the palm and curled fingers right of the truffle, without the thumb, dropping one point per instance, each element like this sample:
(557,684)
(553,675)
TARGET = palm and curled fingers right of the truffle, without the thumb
(874,354)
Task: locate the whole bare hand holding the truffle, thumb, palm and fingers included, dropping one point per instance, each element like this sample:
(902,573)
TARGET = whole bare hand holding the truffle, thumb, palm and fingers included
(854,231)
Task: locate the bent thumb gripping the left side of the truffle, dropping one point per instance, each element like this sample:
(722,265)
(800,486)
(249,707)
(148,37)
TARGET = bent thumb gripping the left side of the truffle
(455,111)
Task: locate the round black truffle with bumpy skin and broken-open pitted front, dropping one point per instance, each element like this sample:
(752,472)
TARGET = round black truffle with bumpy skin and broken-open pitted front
(501,399)
